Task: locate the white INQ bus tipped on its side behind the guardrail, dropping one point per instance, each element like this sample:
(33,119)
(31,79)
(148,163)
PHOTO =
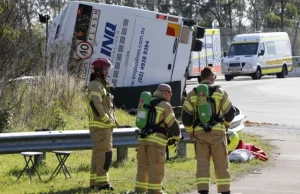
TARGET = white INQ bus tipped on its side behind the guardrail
(146,48)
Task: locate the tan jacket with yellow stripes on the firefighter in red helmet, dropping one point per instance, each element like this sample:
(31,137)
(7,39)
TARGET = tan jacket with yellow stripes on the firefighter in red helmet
(100,106)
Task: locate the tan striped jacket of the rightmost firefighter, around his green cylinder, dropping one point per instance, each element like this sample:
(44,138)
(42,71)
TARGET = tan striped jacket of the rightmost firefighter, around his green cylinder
(222,103)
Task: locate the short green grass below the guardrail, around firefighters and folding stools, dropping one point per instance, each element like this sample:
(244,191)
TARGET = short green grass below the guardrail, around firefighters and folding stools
(179,176)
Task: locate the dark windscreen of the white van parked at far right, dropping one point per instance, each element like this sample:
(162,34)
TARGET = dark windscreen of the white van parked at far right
(243,49)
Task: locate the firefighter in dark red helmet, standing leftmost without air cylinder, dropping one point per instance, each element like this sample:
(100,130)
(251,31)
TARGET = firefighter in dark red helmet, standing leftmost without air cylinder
(101,124)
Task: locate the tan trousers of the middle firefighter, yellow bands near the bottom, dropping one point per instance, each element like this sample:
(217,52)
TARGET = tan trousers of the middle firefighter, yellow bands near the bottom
(150,169)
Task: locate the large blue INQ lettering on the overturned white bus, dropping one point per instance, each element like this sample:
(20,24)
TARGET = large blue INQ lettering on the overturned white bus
(109,34)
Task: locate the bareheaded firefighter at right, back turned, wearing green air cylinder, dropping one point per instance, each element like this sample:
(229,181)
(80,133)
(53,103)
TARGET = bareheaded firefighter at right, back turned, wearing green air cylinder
(209,138)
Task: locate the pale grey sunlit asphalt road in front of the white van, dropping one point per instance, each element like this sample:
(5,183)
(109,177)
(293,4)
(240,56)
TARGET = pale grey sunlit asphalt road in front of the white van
(270,99)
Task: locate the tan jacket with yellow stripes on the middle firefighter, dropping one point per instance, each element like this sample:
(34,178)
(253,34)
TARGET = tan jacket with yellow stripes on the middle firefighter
(164,111)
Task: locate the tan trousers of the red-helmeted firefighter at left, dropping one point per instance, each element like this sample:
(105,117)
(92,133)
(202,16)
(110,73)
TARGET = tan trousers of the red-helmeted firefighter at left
(101,156)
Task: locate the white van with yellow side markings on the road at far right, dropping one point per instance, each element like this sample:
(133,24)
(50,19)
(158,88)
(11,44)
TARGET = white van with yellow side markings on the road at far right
(258,54)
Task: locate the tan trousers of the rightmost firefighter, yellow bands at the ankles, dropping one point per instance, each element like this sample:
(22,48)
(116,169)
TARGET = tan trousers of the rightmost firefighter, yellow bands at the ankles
(212,144)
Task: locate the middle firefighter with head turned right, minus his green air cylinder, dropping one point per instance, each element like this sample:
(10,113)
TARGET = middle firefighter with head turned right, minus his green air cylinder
(152,146)
